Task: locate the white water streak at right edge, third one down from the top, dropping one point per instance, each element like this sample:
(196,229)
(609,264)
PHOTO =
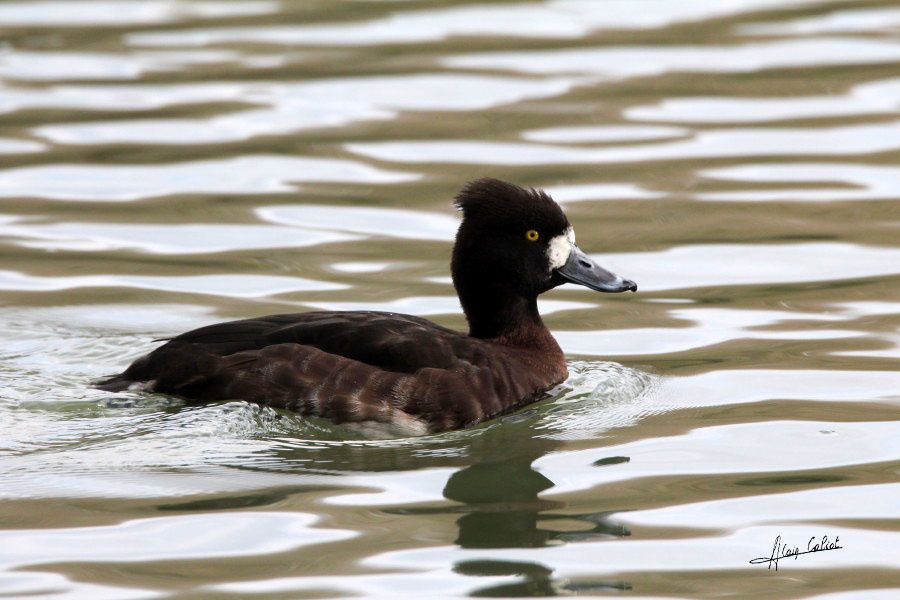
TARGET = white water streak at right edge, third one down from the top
(874,97)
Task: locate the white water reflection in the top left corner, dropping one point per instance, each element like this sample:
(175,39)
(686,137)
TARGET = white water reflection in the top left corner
(114,13)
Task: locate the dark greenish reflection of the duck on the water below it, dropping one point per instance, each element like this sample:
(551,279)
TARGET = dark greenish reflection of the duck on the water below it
(500,505)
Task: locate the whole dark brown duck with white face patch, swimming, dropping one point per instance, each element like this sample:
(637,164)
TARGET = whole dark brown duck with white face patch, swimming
(396,370)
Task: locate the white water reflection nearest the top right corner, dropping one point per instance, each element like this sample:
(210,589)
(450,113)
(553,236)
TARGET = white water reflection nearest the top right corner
(860,20)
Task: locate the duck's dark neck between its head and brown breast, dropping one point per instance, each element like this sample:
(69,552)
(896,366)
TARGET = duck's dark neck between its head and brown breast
(506,318)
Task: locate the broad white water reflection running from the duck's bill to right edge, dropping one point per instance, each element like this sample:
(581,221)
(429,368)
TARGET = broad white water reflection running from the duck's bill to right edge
(714,265)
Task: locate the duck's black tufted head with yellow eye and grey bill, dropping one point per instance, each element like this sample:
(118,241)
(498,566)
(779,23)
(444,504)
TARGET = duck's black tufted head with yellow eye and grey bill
(512,245)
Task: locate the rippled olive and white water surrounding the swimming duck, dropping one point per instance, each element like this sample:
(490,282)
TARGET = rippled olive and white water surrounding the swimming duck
(165,164)
